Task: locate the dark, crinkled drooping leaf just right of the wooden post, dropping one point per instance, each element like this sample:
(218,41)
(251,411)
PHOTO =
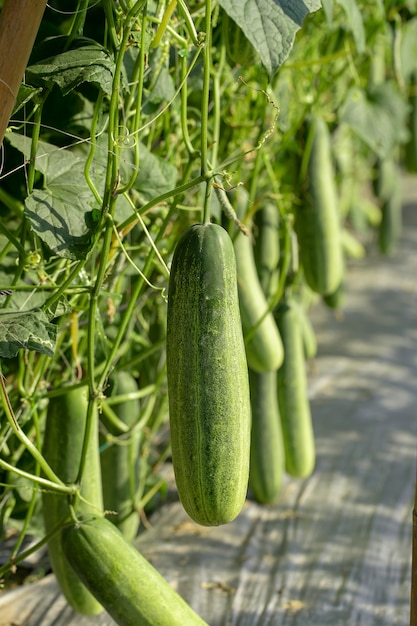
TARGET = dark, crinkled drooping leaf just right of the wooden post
(87,64)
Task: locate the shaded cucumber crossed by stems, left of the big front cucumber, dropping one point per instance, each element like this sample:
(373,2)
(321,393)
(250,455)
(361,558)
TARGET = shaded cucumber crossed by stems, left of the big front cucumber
(120,460)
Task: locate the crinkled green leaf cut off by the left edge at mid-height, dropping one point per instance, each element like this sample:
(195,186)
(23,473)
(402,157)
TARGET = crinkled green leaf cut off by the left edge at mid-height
(27,330)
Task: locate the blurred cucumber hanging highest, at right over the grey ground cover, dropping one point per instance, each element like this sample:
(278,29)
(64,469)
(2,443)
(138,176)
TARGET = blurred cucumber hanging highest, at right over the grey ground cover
(317,220)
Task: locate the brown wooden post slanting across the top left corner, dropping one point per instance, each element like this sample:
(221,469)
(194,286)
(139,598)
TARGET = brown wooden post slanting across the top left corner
(19,23)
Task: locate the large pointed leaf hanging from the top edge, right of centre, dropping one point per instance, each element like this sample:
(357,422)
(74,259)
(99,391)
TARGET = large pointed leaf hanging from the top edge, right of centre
(270,25)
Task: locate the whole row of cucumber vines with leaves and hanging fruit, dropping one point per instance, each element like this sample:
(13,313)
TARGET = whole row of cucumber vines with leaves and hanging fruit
(180,183)
